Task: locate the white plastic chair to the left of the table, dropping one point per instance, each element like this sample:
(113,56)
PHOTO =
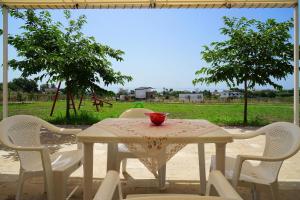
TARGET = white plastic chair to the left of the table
(22,133)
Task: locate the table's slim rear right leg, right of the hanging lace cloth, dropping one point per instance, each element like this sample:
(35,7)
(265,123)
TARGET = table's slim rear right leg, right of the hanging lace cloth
(202,173)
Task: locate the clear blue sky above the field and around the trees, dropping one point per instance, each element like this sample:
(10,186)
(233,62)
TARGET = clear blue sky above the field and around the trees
(162,47)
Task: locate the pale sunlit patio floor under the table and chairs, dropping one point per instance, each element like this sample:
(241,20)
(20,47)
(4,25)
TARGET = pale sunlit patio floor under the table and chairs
(182,172)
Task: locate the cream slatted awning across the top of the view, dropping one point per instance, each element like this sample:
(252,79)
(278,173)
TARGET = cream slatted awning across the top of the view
(86,4)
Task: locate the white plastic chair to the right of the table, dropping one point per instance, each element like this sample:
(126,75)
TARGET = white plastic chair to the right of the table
(282,142)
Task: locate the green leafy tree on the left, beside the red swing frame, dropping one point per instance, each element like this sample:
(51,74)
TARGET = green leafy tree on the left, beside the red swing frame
(58,52)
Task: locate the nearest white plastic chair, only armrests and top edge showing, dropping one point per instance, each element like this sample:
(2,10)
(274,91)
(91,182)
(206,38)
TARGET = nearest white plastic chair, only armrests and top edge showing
(110,188)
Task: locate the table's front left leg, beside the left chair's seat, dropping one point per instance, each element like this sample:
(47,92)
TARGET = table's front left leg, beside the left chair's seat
(87,171)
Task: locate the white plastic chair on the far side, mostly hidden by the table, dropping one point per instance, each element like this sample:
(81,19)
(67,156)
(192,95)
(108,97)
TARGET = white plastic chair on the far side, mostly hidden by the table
(123,152)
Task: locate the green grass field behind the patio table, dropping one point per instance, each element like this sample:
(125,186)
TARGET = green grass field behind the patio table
(222,114)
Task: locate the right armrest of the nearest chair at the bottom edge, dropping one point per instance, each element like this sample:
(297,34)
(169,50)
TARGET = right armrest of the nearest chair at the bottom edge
(223,187)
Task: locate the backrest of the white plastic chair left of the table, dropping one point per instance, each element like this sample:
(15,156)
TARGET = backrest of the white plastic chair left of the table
(23,131)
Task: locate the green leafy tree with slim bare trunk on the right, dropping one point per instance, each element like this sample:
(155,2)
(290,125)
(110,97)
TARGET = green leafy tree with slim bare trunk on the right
(255,53)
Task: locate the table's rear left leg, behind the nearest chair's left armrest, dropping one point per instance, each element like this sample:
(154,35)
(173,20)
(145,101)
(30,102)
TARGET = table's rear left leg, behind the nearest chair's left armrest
(112,151)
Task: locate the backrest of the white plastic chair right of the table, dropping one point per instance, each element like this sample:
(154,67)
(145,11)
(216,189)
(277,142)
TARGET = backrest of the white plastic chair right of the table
(282,141)
